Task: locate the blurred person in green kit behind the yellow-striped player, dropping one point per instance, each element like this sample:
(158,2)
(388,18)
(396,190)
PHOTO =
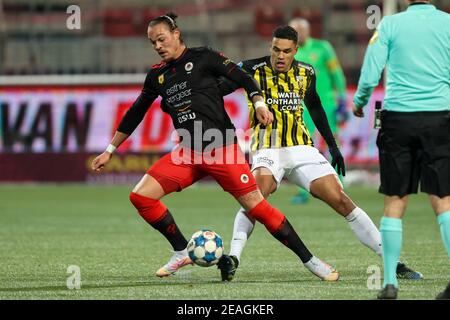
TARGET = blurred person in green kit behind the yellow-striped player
(330,85)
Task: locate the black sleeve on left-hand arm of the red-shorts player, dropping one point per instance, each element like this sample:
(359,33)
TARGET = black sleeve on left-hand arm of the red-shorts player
(137,111)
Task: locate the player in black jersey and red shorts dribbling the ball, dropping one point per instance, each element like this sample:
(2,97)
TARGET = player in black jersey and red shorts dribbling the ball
(187,82)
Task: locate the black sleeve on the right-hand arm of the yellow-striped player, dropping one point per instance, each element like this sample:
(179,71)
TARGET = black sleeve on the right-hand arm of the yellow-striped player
(318,115)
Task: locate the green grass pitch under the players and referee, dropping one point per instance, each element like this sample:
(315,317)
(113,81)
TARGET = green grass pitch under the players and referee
(46,228)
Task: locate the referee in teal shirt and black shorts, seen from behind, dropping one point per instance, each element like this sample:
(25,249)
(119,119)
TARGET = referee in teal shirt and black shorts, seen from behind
(414,139)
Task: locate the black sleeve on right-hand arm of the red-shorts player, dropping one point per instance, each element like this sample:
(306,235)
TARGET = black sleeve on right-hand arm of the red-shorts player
(222,66)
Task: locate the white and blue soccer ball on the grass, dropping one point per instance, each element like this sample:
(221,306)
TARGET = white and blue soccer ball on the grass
(205,248)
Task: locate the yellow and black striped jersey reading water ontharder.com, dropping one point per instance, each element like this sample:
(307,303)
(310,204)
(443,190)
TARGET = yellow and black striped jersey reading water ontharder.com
(284,94)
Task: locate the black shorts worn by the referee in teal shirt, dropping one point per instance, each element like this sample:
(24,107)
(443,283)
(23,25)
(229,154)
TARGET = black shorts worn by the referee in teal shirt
(413,147)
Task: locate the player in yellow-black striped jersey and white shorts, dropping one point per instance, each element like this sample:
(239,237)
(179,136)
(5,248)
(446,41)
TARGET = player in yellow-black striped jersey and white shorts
(284,149)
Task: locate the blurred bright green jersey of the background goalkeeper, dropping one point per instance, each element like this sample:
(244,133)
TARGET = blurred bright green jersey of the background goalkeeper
(330,78)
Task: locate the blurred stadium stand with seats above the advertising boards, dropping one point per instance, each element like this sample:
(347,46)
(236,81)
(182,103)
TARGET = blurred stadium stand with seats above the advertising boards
(35,39)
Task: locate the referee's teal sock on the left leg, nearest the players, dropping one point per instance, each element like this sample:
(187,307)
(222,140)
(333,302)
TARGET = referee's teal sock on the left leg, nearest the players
(391,245)
